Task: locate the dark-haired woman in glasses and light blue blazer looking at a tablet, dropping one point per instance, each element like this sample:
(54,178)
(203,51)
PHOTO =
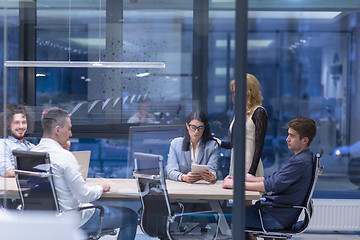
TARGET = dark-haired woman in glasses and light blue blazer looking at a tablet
(196,147)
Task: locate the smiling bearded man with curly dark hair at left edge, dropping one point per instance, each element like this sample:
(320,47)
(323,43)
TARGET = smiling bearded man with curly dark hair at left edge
(18,120)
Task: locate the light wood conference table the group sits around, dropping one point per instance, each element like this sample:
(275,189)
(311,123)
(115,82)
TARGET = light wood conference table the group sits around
(127,189)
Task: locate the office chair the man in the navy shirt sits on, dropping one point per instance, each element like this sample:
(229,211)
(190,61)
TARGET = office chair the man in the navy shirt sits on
(307,208)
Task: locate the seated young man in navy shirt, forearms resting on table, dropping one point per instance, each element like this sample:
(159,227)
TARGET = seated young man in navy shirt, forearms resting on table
(287,185)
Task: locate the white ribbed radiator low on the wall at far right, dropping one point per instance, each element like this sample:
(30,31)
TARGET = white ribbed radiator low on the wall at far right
(336,215)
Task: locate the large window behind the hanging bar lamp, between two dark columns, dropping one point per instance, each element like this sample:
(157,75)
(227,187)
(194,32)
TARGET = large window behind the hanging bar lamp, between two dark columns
(114,32)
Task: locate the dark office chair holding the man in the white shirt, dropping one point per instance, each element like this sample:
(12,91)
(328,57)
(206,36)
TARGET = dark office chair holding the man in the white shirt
(36,187)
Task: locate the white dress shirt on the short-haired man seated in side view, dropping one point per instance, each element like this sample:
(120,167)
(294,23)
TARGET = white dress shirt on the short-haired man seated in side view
(71,189)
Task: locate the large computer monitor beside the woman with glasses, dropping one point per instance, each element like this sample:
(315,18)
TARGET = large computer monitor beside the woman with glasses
(153,139)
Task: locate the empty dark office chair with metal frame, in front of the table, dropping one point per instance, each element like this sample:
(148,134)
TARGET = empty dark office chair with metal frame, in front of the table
(157,218)
